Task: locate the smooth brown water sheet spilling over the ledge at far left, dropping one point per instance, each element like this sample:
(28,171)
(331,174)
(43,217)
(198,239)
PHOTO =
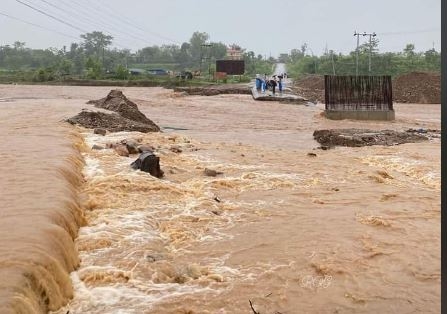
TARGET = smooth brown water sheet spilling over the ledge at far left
(40,212)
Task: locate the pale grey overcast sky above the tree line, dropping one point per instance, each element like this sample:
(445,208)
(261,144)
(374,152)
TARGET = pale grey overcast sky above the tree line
(265,27)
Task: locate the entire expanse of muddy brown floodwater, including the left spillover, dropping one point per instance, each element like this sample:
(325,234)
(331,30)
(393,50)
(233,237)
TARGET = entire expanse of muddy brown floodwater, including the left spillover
(345,230)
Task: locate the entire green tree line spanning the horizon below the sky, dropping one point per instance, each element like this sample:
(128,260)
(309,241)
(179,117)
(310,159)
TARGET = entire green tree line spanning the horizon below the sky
(93,58)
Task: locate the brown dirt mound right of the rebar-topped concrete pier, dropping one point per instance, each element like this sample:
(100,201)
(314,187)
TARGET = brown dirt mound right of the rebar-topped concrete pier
(417,88)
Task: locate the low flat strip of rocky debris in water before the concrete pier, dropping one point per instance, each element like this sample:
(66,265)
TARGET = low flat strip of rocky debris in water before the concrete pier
(364,137)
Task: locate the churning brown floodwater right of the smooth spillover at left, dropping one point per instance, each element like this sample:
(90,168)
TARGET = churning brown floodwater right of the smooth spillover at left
(352,230)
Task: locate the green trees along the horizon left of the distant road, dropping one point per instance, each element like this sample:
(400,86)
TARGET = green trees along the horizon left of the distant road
(93,58)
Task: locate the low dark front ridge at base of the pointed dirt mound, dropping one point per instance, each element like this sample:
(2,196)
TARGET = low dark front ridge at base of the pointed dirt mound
(112,122)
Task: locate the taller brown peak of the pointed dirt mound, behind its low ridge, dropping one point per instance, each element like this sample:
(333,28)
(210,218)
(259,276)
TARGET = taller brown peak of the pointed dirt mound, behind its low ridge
(117,102)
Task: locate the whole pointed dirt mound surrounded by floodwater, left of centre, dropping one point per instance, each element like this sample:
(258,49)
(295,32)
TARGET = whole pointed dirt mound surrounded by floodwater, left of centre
(126,118)
